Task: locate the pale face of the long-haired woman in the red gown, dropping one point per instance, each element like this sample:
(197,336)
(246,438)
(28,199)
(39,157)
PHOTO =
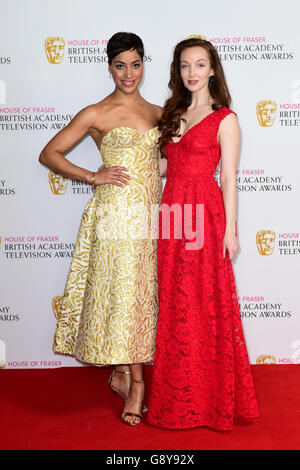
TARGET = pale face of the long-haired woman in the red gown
(195,68)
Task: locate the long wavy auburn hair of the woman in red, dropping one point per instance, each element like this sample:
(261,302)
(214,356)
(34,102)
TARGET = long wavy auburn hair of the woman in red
(180,98)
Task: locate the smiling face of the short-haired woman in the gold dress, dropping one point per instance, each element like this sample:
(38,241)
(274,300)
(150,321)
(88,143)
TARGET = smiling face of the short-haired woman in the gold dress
(127,71)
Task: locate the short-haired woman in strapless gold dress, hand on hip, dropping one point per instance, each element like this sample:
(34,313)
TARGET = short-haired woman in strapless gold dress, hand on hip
(109,308)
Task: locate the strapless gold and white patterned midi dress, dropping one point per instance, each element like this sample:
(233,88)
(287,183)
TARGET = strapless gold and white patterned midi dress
(109,309)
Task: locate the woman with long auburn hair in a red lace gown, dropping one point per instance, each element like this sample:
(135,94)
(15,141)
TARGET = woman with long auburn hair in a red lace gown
(201,375)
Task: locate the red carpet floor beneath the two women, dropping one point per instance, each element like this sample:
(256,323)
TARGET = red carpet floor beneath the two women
(72,408)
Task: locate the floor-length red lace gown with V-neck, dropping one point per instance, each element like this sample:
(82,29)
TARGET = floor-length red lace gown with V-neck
(201,374)
